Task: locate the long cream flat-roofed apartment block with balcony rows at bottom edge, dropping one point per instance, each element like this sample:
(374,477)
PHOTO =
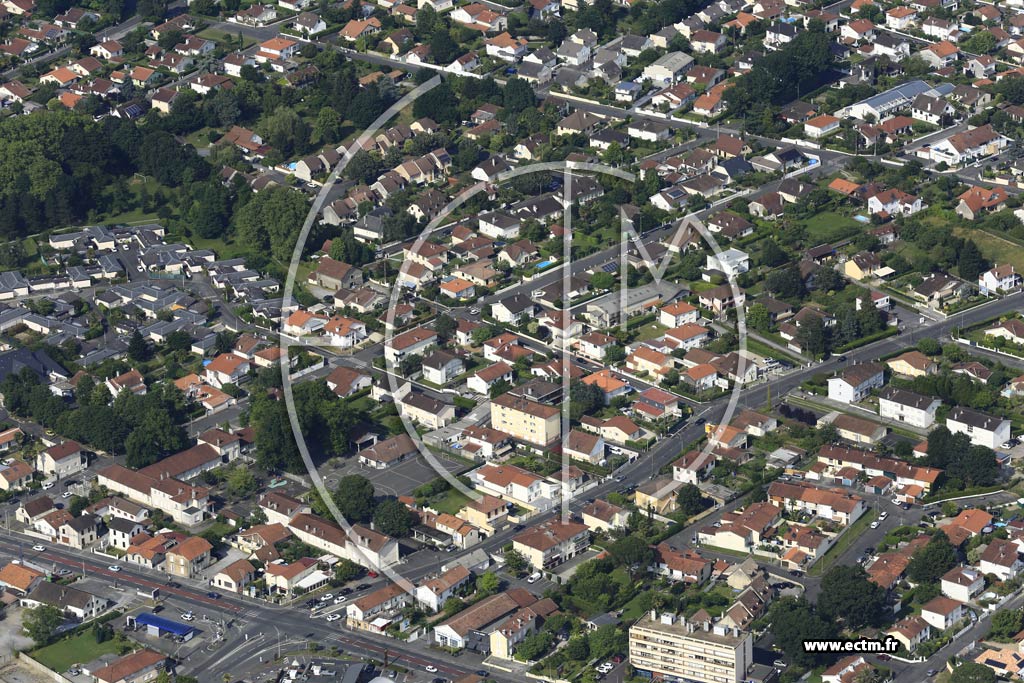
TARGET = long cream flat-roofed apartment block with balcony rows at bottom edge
(669,648)
